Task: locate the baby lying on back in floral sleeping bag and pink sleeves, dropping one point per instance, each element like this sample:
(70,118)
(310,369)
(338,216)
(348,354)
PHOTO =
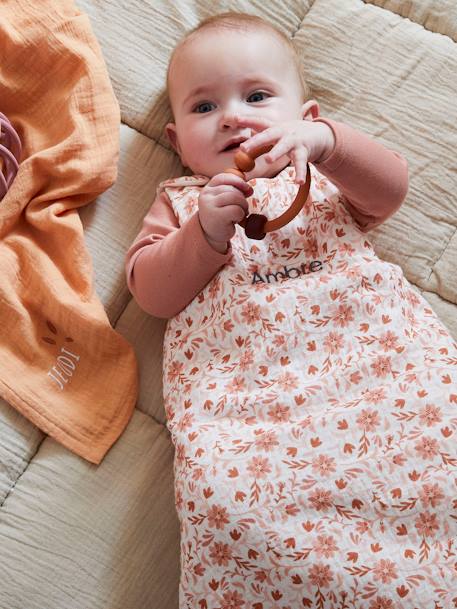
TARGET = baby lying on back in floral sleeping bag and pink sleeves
(287,361)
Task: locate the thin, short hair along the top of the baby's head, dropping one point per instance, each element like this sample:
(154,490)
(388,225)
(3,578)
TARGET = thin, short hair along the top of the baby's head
(236,21)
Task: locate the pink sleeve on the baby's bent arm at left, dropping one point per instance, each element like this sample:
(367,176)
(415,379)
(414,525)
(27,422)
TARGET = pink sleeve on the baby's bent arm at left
(168,265)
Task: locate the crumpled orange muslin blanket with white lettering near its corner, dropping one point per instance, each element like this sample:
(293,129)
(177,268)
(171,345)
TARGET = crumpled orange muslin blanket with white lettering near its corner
(62,365)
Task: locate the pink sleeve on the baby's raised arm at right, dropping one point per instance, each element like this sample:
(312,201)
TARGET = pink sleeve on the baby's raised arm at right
(373,179)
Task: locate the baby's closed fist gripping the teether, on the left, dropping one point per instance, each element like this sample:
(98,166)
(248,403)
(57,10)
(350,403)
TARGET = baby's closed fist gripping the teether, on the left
(221,204)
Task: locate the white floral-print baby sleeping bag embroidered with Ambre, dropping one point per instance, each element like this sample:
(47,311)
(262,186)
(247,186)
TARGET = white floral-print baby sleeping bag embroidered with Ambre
(311,394)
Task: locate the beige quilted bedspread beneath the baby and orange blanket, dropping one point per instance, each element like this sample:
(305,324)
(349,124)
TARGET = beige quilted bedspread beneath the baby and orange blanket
(107,536)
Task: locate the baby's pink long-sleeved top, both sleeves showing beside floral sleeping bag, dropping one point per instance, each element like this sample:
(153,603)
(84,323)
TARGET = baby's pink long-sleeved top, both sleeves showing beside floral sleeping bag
(372,178)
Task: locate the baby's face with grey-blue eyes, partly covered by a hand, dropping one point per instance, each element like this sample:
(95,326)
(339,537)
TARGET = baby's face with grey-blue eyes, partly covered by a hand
(220,75)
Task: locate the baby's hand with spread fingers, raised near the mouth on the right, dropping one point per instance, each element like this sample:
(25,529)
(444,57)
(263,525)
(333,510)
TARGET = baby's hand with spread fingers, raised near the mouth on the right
(303,141)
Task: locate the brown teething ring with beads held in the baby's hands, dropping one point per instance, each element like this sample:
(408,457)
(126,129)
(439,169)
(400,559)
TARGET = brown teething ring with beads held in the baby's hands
(256,226)
